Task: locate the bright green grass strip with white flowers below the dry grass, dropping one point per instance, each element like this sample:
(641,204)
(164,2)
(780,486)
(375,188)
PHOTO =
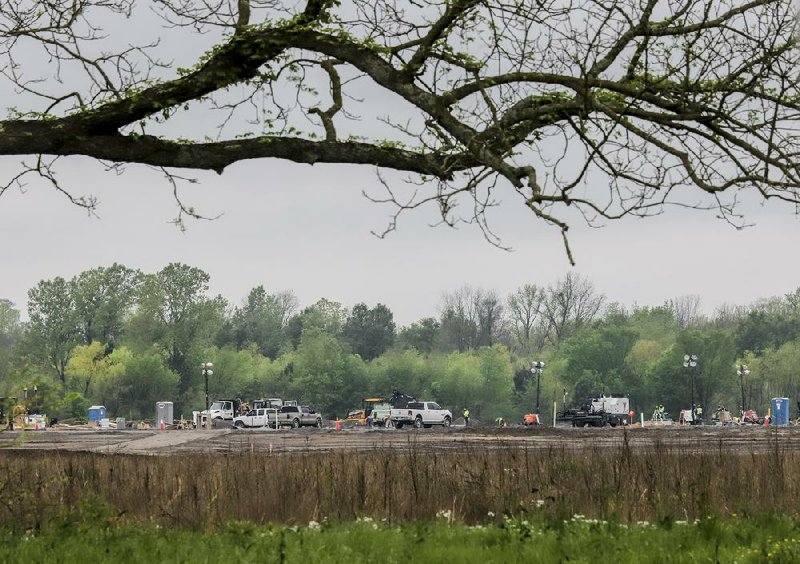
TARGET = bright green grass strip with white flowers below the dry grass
(510,541)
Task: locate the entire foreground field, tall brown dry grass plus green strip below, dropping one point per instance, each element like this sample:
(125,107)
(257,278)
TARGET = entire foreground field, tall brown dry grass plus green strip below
(490,504)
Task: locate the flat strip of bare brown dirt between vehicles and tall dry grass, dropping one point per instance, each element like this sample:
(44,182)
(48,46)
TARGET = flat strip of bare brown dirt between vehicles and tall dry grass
(744,440)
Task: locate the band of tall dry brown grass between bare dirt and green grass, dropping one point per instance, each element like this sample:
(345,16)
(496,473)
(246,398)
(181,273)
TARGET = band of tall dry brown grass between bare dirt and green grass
(204,491)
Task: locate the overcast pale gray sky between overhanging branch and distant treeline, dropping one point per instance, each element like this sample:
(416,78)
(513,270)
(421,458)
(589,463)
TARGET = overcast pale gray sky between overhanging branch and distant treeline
(307,229)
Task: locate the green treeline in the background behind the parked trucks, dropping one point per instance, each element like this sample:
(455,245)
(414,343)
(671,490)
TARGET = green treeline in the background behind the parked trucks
(126,339)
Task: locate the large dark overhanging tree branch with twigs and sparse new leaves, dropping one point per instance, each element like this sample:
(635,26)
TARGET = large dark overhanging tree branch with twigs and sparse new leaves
(611,108)
